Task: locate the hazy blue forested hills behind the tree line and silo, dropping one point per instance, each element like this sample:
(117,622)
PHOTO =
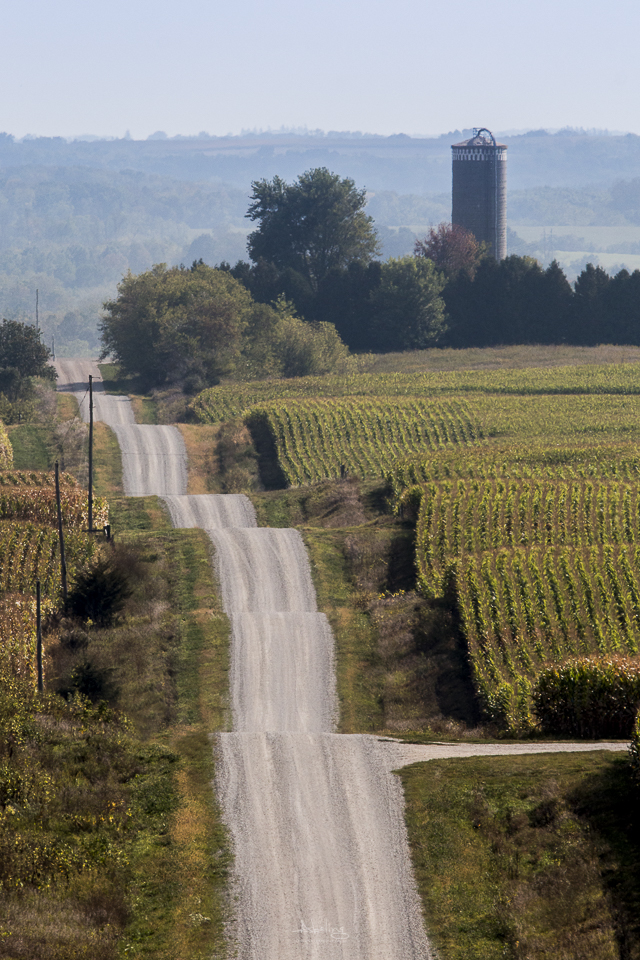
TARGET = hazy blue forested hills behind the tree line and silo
(74,217)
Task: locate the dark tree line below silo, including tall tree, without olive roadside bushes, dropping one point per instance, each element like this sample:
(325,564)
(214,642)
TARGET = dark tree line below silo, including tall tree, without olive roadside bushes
(451,292)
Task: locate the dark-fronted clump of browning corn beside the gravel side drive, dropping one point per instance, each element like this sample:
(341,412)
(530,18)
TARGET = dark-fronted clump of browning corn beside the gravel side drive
(589,697)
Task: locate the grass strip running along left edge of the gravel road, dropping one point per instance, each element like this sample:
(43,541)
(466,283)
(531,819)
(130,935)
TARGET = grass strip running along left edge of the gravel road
(178,887)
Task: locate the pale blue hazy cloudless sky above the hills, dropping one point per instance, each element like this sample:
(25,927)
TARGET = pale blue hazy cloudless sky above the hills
(384,66)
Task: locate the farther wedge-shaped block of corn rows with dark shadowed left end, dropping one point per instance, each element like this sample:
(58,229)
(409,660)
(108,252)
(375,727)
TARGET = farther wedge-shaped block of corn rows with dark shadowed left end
(316,439)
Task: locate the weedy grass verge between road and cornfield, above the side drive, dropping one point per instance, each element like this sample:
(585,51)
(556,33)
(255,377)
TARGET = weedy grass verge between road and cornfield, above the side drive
(400,666)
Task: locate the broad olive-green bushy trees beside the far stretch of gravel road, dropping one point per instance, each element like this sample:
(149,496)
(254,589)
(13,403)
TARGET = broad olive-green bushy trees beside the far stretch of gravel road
(195,326)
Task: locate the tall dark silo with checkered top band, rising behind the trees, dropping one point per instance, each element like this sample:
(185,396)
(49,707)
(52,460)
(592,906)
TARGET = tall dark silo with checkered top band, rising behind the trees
(480,189)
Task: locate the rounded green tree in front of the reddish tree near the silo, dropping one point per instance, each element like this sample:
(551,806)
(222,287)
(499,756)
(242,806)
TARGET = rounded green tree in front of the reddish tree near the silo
(408,311)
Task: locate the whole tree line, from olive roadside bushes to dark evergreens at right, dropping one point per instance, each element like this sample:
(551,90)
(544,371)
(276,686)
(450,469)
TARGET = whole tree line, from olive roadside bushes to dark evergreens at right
(313,287)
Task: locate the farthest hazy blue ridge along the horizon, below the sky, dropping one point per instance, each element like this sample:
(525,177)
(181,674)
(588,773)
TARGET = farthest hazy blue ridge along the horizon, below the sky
(400,163)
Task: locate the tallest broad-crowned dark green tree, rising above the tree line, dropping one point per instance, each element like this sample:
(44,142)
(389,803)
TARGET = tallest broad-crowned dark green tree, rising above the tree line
(312,226)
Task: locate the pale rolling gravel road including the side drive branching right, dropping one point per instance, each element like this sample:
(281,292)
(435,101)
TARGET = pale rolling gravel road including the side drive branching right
(322,867)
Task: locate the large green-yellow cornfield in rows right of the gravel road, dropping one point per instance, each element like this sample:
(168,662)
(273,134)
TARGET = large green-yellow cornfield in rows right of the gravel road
(523,485)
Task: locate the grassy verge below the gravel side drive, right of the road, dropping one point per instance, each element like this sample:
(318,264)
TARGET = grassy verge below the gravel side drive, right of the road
(527,857)
